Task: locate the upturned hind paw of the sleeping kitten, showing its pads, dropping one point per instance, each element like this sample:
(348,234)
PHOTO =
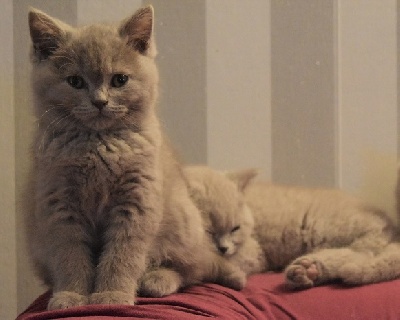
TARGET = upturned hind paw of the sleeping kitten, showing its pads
(302,273)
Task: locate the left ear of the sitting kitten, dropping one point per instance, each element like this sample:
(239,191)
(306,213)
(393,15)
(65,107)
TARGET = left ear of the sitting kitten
(46,32)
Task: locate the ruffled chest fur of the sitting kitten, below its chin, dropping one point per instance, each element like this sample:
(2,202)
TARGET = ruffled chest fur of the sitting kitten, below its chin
(93,172)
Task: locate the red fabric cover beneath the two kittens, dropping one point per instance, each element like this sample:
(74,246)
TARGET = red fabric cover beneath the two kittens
(265,297)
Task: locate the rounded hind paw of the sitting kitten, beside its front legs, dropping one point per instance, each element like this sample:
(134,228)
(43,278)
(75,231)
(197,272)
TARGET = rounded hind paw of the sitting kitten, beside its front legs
(157,285)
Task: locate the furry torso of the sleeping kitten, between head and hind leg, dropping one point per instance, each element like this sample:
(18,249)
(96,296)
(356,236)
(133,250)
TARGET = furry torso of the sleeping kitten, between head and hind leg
(291,221)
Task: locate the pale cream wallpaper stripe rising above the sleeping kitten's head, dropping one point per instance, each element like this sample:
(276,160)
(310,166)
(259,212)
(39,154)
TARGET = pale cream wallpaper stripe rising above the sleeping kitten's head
(238,84)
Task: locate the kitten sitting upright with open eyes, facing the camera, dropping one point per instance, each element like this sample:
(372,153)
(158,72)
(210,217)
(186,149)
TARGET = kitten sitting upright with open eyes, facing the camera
(108,211)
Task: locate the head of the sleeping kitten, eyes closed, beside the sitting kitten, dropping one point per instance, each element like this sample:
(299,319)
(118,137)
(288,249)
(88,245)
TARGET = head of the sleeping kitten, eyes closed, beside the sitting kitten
(226,217)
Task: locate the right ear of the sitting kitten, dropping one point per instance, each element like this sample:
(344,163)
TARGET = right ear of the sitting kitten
(139,31)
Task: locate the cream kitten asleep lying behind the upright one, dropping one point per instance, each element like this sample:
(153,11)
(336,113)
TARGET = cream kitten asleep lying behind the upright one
(317,235)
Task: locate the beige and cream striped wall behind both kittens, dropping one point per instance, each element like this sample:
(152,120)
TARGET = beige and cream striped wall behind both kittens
(304,90)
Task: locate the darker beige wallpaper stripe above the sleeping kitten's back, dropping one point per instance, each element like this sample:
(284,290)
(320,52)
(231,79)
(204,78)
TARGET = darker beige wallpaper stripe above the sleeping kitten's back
(303,92)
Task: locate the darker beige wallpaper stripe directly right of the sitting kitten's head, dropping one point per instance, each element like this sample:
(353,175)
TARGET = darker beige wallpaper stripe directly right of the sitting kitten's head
(180,37)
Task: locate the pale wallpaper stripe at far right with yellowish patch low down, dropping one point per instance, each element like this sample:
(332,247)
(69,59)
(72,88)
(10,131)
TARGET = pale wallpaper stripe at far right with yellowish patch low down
(367,82)
